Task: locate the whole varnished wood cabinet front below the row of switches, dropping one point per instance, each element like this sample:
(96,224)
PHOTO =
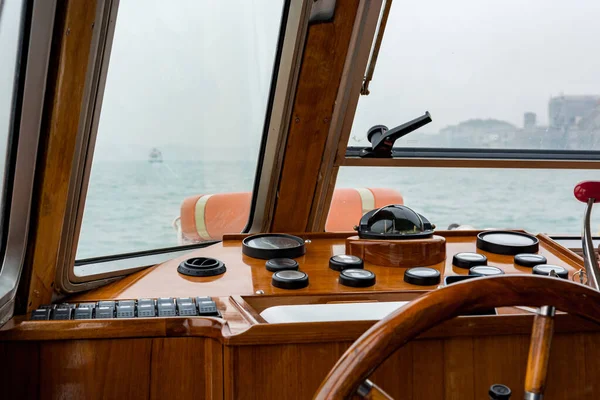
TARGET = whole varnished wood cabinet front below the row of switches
(174,368)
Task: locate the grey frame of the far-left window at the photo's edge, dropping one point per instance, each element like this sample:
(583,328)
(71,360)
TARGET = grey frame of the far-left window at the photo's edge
(38,20)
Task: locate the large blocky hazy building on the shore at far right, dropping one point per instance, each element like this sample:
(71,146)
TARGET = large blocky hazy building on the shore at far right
(565,112)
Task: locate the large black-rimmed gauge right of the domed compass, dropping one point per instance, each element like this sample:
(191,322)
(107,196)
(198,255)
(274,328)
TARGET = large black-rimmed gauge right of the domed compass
(507,242)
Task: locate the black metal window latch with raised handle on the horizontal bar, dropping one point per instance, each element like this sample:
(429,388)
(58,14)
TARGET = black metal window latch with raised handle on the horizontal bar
(382,140)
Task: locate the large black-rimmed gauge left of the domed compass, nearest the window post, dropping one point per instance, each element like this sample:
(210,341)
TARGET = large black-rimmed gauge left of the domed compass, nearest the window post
(273,245)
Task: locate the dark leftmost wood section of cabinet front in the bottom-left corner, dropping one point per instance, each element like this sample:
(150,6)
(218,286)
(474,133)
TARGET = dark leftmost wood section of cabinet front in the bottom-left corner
(20,366)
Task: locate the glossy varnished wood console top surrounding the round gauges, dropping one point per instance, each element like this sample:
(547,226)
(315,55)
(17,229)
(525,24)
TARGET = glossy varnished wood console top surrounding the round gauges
(246,275)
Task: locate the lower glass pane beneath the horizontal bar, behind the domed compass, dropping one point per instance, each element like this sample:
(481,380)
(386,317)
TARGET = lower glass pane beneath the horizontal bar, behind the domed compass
(536,200)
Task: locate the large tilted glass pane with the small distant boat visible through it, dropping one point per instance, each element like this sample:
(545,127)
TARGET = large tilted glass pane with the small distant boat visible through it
(182,115)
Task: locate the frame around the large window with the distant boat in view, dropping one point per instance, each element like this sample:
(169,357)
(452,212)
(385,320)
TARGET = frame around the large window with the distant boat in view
(295,16)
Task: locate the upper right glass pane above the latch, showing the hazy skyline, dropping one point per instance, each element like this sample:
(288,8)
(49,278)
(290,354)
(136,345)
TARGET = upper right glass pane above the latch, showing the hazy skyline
(505,74)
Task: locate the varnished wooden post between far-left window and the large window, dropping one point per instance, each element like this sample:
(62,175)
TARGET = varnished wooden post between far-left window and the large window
(69,62)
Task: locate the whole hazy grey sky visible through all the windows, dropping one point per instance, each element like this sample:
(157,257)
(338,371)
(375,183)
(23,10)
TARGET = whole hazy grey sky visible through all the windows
(192,76)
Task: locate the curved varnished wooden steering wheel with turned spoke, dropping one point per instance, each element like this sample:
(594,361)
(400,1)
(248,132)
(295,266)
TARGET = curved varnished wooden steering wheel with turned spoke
(349,376)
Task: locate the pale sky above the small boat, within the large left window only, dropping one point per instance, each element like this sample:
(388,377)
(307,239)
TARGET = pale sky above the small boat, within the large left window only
(189,77)
